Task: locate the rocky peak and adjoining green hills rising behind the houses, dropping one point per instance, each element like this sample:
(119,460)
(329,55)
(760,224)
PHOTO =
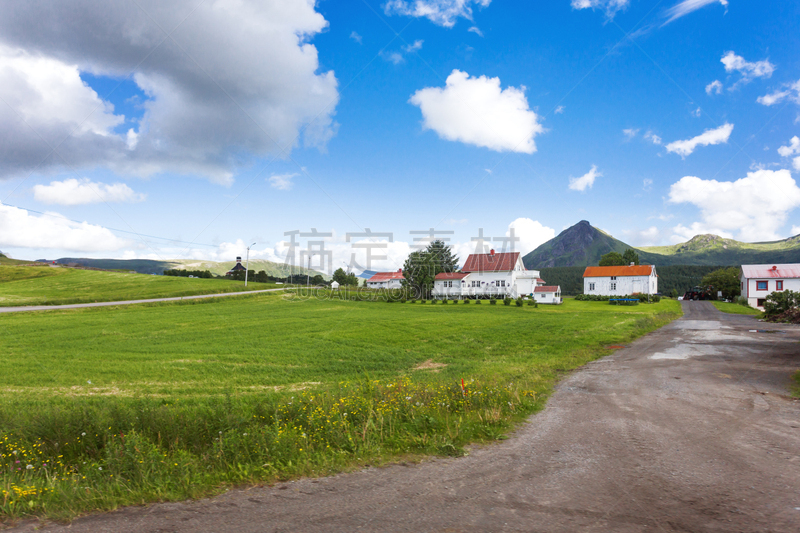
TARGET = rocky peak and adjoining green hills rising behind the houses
(583,245)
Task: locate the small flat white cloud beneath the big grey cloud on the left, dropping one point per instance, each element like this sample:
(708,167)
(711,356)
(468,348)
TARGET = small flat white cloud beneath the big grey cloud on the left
(80,192)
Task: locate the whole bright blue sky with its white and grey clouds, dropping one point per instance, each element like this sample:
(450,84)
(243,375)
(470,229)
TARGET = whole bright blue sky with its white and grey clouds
(214,124)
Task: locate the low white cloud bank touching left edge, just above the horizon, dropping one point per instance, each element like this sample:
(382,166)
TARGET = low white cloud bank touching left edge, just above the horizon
(21,229)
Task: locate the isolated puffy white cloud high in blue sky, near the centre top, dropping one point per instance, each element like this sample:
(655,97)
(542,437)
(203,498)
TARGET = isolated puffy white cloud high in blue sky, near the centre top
(477,111)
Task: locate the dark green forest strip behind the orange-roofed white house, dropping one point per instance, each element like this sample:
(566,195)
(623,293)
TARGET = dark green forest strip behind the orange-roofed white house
(678,277)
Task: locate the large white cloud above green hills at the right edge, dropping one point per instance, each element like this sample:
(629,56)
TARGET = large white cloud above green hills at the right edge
(753,208)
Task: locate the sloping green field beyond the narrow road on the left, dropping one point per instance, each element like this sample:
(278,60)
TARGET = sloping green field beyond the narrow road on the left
(42,285)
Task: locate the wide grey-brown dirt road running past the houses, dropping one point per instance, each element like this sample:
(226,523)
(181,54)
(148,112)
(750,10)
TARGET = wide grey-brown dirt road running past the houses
(686,429)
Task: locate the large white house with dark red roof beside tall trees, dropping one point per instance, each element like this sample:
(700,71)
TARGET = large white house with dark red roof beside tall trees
(492,275)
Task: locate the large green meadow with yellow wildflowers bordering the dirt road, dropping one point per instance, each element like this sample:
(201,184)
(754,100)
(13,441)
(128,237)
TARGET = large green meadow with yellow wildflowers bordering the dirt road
(107,407)
